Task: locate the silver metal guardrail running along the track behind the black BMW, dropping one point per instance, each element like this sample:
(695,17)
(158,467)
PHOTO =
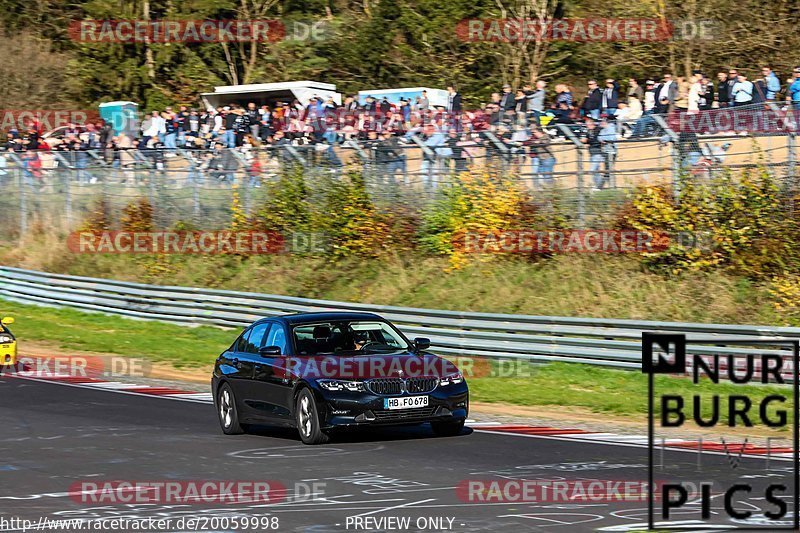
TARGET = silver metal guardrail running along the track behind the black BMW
(596,341)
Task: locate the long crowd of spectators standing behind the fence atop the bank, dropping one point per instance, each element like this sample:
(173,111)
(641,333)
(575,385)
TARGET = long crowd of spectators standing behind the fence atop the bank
(517,125)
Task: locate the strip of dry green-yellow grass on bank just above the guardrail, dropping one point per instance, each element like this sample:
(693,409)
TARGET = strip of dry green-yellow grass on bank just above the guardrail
(574,285)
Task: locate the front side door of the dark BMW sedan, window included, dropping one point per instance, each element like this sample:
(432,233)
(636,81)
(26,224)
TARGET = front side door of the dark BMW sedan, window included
(272,375)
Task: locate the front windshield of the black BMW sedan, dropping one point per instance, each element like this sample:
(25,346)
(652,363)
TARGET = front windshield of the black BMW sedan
(347,338)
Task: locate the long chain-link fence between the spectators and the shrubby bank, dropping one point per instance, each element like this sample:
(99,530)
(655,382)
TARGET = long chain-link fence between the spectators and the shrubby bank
(59,188)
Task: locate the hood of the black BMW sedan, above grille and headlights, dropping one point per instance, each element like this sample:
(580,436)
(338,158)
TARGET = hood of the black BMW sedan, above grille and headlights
(369,366)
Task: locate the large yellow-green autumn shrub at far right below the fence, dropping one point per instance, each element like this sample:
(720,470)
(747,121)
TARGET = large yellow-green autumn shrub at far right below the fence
(738,223)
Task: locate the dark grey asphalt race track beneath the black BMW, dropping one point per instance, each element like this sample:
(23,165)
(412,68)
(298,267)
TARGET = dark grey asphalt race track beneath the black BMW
(54,435)
